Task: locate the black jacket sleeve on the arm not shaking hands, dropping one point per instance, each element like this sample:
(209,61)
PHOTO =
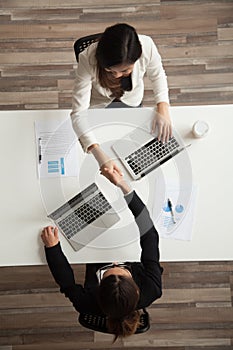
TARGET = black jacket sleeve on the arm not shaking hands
(81,298)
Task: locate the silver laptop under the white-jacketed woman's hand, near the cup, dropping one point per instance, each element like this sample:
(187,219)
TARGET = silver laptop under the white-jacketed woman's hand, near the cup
(141,152)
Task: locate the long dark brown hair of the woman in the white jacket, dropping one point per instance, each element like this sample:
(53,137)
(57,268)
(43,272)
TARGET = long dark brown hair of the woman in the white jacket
(119,44)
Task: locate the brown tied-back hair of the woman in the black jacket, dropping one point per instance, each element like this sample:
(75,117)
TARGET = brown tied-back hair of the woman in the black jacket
(118,298)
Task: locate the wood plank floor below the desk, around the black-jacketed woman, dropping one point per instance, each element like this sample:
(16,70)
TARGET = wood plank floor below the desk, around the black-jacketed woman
(194,313)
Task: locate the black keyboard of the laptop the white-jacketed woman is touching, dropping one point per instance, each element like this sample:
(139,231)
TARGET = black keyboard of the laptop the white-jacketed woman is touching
(150,153)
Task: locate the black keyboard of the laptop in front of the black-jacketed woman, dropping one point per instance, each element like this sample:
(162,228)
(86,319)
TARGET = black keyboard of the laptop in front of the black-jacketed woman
(84,215)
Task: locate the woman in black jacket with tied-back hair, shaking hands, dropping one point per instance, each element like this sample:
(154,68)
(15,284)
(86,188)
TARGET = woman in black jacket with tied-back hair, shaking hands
(118,290)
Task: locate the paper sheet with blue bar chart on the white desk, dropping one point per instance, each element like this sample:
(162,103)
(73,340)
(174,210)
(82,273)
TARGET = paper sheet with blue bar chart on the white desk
(57,152)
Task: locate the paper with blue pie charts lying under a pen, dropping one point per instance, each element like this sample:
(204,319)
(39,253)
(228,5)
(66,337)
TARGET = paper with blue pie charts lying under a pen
(183,203)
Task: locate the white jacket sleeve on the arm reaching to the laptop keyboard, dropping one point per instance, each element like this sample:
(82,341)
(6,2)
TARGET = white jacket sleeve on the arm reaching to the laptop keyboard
(156,73)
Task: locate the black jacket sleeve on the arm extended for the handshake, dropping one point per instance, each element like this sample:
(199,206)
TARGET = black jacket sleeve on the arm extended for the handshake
(149,241)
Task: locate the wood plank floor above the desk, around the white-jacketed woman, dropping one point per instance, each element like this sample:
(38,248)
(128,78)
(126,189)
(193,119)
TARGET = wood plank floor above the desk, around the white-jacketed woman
(194,37)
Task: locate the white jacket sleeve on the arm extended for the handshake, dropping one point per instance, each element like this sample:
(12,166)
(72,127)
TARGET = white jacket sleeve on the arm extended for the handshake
(81,101)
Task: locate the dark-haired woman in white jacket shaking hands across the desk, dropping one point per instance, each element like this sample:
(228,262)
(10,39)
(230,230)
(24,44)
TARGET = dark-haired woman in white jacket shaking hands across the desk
(110,74)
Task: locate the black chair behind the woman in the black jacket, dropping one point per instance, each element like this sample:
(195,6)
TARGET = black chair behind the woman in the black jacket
(98,323)
